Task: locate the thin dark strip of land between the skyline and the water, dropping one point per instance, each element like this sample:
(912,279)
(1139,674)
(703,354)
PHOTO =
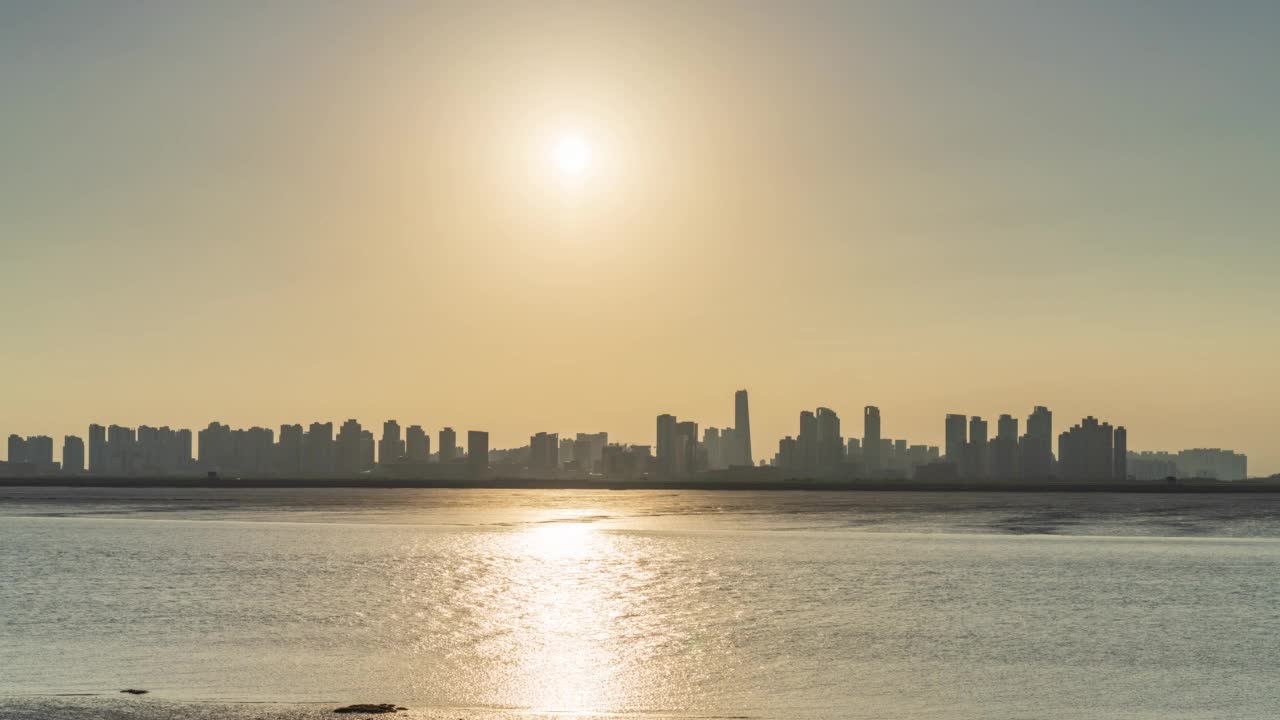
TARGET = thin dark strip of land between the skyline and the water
(1268,486)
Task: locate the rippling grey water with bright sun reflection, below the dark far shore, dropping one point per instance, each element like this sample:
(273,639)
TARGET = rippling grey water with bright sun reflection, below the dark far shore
(661,604)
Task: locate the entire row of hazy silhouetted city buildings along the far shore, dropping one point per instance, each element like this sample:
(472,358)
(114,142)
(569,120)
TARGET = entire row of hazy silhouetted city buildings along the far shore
(1091,450)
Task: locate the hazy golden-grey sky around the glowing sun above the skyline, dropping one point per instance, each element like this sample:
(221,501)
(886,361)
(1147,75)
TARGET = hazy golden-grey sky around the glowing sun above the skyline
(289,212)
